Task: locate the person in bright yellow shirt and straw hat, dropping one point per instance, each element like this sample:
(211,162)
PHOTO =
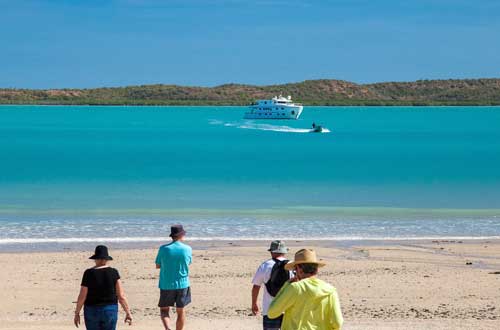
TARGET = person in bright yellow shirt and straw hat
(306,302)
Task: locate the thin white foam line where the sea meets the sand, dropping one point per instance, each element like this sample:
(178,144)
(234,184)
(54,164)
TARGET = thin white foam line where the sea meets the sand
(222,238)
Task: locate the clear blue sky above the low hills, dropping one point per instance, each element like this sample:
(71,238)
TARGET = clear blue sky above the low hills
(91,43)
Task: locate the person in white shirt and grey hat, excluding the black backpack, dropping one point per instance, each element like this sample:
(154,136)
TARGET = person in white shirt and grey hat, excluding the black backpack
(262,276)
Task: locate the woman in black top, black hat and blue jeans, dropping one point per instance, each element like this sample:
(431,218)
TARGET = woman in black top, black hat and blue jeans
(100,292)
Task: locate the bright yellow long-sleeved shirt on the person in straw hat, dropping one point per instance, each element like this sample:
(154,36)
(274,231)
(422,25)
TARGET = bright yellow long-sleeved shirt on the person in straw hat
(309,304)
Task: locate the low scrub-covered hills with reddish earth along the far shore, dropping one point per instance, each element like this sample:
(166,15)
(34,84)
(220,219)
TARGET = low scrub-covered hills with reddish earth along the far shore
(309,92)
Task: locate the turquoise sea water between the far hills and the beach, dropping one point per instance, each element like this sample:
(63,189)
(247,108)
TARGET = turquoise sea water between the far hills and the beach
(65,168)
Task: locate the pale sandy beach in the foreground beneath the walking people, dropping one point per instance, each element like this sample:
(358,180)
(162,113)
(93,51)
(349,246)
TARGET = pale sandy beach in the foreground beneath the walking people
(391,285)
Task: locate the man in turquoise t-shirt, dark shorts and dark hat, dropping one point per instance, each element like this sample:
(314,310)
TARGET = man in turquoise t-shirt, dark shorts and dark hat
(173,261)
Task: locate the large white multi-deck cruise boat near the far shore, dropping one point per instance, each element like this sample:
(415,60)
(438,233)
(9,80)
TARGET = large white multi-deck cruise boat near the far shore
(276,108)
